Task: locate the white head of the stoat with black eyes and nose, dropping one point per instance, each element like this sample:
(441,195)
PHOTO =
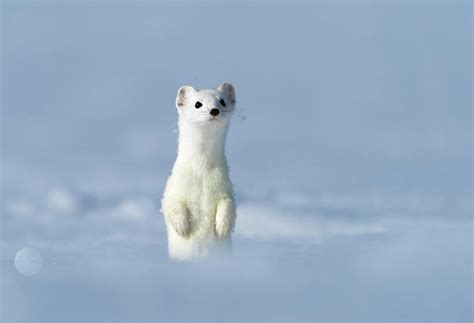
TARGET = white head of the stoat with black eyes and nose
(208,107)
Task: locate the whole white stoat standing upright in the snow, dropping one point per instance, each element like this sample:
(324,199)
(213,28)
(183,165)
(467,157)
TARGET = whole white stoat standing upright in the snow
(198,203)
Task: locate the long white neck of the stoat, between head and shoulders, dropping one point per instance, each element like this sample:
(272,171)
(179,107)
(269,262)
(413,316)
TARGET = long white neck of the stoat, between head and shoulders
(203,143)
